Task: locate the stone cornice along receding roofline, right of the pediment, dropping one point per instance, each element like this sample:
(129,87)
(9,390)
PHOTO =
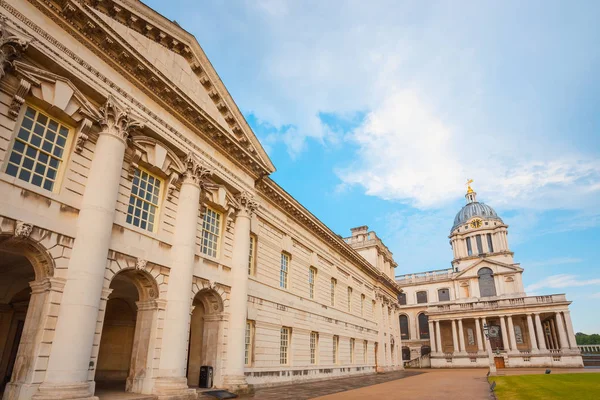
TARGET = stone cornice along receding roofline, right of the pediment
(270,190)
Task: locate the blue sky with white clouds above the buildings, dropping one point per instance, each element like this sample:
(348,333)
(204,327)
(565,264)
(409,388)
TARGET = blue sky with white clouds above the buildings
(375,113)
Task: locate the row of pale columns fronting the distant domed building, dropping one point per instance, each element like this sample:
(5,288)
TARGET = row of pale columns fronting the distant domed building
(552,334)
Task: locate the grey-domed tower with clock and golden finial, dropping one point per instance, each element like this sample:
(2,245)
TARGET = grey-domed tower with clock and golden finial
(478,232)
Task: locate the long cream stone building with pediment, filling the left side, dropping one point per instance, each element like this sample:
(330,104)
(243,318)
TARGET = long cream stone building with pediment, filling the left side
(140,234)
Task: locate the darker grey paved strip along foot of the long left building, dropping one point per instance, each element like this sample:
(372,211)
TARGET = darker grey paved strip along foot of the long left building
(310,390)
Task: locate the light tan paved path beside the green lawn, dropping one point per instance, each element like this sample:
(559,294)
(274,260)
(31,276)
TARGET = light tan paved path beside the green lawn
(434,384)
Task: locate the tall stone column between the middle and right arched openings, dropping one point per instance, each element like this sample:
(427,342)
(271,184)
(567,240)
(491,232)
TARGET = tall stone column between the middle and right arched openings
(172,379)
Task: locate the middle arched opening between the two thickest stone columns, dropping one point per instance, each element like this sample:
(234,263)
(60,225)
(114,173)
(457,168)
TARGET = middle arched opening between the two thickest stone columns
(124,357)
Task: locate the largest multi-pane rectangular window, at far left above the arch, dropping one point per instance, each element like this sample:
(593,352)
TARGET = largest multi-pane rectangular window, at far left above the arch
(38,149)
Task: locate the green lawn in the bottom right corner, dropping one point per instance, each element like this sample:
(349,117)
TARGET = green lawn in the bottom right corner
(546,387)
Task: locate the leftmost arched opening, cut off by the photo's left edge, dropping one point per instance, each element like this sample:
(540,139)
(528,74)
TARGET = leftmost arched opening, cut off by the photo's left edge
(24,296)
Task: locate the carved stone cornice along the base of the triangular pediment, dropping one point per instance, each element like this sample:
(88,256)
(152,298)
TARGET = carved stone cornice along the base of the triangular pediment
(78,19)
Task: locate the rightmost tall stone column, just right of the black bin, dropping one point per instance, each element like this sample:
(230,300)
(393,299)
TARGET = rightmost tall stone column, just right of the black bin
(234,378)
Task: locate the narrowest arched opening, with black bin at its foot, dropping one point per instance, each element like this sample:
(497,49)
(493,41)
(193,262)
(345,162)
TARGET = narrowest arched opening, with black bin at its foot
(205,345)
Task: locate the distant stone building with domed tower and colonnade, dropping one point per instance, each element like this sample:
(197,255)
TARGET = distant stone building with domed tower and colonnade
(444,312)
